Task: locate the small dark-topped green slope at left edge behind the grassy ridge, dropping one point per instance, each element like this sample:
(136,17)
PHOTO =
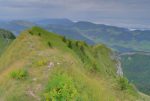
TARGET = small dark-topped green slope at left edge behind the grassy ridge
(6,38)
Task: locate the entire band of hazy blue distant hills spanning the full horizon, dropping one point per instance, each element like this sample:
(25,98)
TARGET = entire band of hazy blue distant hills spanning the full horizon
(121,39)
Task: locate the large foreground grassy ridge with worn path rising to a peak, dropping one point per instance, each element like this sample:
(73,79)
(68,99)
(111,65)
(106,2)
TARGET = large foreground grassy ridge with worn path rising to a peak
(40,65)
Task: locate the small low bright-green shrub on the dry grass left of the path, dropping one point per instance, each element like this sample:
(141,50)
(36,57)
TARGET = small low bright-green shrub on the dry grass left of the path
(19,74)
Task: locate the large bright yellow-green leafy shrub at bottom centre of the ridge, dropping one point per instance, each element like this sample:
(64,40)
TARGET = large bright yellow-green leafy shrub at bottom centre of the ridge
(60,88)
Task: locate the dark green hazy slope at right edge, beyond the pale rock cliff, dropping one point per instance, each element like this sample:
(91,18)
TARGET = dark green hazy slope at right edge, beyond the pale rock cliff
(137,68)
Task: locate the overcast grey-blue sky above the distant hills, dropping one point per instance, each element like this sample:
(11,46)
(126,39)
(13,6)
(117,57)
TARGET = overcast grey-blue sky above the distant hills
(114,12)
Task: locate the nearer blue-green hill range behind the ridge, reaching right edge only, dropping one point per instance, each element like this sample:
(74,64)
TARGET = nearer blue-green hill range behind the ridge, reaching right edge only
(121,39)
